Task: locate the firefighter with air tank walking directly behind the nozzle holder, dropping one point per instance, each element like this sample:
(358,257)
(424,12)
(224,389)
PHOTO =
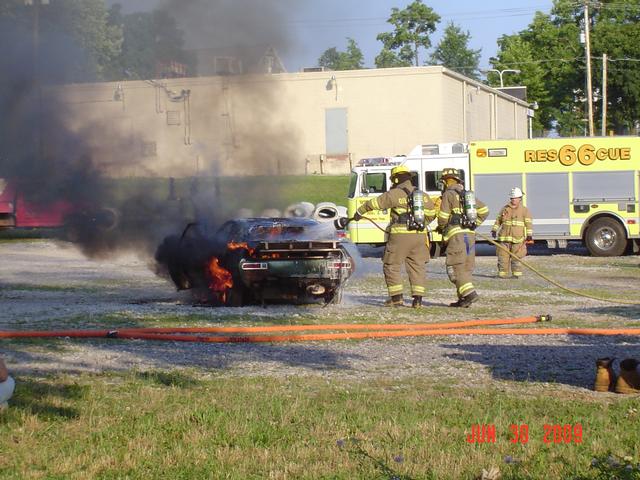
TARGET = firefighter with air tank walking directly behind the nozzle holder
(457,228)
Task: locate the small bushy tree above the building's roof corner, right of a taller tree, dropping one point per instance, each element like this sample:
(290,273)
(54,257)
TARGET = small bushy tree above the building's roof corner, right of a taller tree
(453,52)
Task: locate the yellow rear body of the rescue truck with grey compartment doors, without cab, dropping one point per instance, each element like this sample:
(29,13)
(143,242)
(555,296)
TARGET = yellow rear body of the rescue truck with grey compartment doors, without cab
(576,188)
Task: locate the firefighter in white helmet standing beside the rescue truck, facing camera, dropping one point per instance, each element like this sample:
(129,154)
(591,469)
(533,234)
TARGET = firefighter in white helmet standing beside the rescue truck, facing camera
(513,228)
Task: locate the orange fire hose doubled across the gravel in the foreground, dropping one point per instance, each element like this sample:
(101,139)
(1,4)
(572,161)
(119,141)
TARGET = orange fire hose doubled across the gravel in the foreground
(349,331)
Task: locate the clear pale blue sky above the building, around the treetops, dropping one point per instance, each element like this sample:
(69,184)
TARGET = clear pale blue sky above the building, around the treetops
(316,25)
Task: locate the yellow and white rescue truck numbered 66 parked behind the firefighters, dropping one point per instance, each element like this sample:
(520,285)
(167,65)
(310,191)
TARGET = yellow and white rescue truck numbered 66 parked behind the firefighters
(584,189)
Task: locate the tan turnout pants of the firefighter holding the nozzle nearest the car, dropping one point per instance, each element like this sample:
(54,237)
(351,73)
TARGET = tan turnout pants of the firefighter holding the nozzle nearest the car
(410,249)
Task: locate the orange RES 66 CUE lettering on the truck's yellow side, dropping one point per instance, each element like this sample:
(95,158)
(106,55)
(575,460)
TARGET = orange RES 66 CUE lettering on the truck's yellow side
(586,154)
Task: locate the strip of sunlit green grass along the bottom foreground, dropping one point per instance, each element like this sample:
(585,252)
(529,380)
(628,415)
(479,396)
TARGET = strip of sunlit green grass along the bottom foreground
(165,424)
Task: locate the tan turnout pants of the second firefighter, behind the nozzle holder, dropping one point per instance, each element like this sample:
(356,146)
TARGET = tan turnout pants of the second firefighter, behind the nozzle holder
(461,259)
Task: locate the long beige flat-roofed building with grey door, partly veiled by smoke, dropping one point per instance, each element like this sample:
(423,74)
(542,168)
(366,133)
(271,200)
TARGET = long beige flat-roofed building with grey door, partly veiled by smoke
(288,123)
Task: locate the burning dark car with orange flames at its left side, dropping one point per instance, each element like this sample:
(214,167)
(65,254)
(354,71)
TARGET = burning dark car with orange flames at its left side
(258,260)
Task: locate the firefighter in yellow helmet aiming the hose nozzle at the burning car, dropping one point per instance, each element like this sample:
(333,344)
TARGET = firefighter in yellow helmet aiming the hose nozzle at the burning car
(405,244)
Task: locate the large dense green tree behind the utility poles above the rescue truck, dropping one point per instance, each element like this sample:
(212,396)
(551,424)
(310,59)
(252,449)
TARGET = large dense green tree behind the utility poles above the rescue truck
(552,61)
